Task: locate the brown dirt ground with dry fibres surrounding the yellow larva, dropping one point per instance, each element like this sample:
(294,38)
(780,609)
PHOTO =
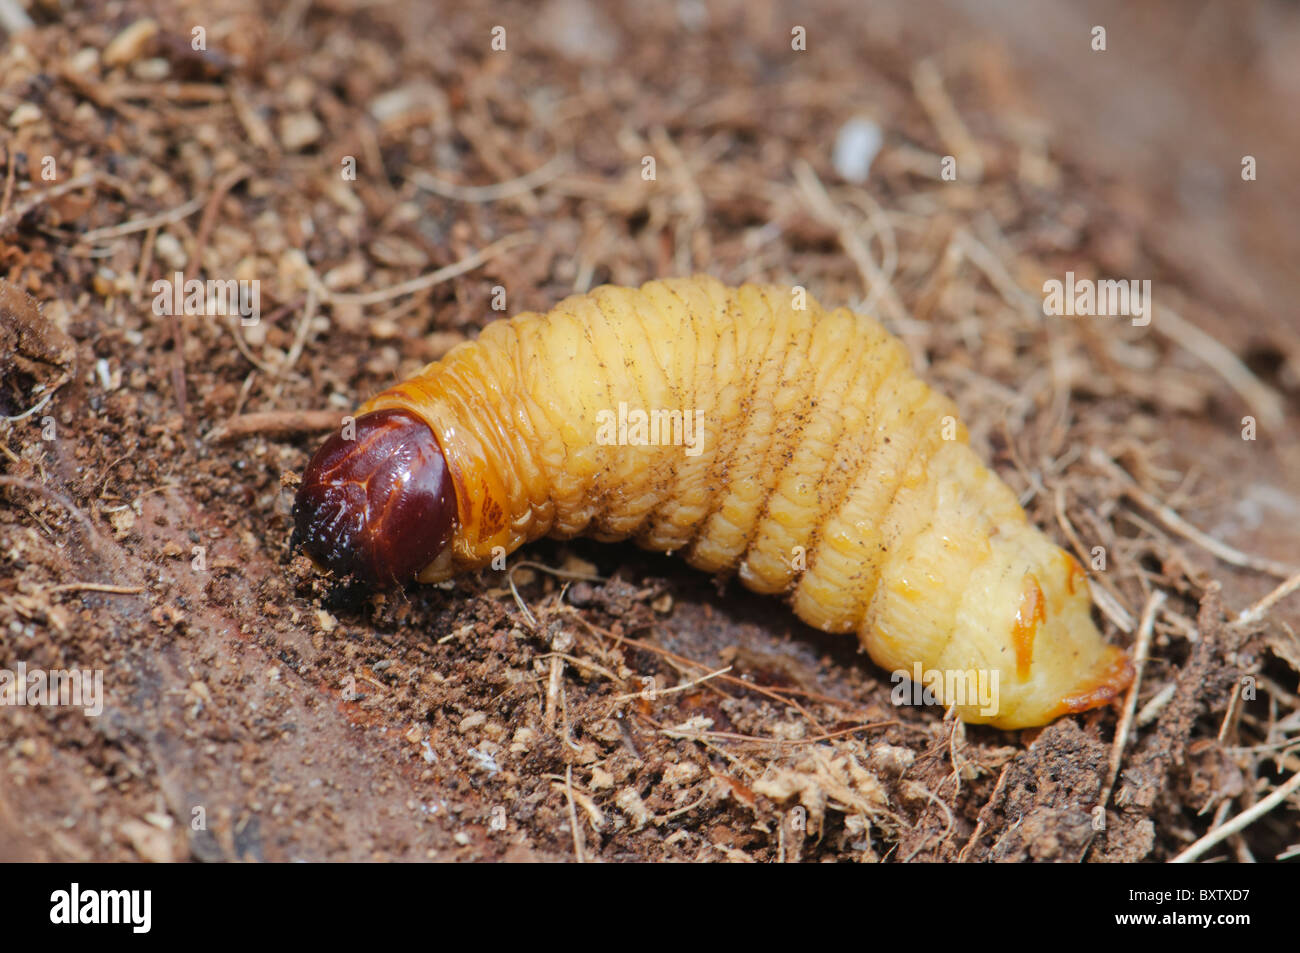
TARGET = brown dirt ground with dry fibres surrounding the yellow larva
(304,720)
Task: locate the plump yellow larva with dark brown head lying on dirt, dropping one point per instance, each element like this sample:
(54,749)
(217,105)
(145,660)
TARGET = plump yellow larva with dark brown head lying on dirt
(827,474)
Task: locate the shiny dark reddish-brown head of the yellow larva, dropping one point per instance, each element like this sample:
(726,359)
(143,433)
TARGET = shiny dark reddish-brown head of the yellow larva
(379,506)
